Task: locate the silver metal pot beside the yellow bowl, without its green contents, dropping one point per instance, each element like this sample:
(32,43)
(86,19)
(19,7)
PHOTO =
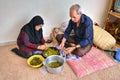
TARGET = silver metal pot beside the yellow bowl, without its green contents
(54,58)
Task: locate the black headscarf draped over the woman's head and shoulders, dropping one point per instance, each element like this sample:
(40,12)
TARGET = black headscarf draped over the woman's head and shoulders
(34,35)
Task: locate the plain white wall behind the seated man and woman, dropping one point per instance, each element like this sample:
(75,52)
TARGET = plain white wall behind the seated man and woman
(15,13)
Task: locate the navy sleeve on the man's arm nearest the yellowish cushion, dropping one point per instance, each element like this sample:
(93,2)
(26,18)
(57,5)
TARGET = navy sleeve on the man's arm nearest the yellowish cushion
(88,39)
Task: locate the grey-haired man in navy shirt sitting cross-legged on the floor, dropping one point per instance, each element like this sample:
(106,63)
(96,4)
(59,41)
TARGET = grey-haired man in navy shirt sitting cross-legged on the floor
(81,42)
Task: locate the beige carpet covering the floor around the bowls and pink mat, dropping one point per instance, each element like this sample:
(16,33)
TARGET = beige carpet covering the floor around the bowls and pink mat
(14,67)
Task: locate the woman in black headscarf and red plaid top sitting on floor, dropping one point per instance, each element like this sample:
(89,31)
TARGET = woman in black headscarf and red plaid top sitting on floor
(30,40)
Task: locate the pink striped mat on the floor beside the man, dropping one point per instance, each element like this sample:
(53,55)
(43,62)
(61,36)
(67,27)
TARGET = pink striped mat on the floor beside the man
(93,61)
